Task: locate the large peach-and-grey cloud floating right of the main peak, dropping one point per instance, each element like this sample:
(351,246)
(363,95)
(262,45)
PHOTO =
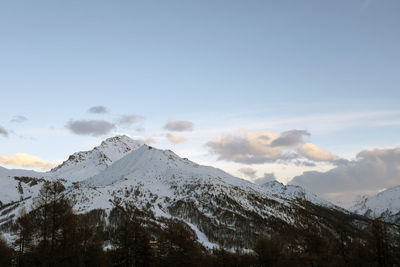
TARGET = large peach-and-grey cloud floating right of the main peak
(257,147)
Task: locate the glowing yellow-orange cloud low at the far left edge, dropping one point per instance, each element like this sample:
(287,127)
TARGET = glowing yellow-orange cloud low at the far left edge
(26,160)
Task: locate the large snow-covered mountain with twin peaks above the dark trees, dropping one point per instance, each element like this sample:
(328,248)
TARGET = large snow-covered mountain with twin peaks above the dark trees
(221,209)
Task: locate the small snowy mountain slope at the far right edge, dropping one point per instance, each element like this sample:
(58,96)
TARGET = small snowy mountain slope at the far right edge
(385,204)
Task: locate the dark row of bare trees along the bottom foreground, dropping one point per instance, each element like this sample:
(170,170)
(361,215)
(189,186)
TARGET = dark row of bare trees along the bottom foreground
(52,234)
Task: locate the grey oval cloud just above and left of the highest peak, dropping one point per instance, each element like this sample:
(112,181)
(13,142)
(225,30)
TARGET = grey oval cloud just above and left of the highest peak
(90,127)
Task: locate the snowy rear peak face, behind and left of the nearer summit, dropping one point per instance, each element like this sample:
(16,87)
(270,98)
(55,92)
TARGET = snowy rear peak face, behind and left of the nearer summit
(85,164)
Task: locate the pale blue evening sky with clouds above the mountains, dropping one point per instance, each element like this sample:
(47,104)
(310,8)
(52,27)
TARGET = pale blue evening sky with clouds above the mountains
(304,92)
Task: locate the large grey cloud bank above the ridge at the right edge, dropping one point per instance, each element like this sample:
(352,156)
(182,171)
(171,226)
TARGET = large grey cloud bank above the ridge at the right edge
(371,171)
